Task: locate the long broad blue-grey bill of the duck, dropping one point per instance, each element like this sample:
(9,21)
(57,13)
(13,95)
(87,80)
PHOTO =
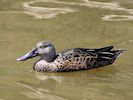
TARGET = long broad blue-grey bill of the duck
(28,55)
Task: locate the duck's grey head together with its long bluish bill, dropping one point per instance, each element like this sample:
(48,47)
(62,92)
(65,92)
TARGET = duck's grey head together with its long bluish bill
(44,49)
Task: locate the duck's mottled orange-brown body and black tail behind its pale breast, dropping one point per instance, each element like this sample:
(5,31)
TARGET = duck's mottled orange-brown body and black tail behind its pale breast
(84,58)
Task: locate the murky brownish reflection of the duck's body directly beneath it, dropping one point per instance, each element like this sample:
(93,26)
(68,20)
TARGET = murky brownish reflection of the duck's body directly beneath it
(76,78)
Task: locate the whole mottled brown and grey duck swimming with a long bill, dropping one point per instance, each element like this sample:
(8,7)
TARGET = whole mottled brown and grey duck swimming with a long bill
(70,59)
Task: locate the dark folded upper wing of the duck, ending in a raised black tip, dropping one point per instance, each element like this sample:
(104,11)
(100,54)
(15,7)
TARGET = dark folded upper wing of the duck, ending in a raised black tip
(81,53)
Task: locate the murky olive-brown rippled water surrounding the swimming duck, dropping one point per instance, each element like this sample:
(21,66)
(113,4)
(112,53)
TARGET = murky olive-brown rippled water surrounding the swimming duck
(74,23)
